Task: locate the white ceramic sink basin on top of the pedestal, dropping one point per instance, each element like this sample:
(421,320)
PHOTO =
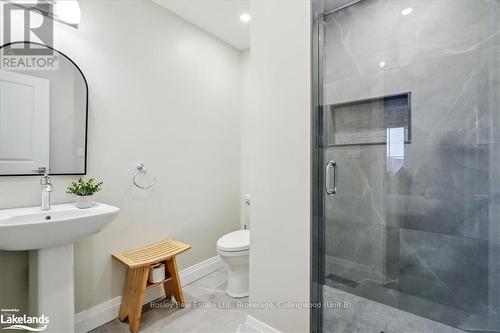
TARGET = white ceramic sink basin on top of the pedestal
(32,229)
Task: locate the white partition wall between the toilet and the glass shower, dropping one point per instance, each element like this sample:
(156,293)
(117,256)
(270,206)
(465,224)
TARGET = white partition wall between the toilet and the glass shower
(278,121)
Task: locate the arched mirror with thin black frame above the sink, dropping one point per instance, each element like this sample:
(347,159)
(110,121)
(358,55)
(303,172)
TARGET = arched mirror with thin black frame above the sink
(43,112)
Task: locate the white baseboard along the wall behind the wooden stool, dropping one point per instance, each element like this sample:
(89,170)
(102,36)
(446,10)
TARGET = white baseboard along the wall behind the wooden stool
(105,312)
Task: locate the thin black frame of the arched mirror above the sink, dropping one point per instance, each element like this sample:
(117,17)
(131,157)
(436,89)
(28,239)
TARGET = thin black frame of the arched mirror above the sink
(86,112)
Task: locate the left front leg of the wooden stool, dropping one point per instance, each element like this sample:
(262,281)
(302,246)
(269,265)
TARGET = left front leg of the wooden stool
(134,298)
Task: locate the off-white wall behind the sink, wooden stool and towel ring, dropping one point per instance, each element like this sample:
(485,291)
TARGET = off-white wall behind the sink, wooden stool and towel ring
(161,92)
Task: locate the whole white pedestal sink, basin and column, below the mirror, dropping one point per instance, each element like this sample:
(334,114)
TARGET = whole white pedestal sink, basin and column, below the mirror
(49,235)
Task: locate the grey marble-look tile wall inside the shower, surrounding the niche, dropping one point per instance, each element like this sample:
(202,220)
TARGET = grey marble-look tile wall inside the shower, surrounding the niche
(424,230)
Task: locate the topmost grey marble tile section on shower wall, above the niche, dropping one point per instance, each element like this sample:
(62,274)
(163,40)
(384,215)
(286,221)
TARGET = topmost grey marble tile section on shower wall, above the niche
(358,38)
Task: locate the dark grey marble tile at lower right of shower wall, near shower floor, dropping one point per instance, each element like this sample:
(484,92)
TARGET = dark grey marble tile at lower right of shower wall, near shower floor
(445,269)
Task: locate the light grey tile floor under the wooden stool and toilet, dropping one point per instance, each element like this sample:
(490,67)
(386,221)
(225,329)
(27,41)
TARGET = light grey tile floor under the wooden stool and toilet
(209,310)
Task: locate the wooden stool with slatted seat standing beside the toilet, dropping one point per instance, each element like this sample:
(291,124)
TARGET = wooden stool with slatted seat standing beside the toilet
(138,262)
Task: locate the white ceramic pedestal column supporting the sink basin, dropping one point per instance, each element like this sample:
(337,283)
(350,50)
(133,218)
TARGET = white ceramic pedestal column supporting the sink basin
(51,287)
